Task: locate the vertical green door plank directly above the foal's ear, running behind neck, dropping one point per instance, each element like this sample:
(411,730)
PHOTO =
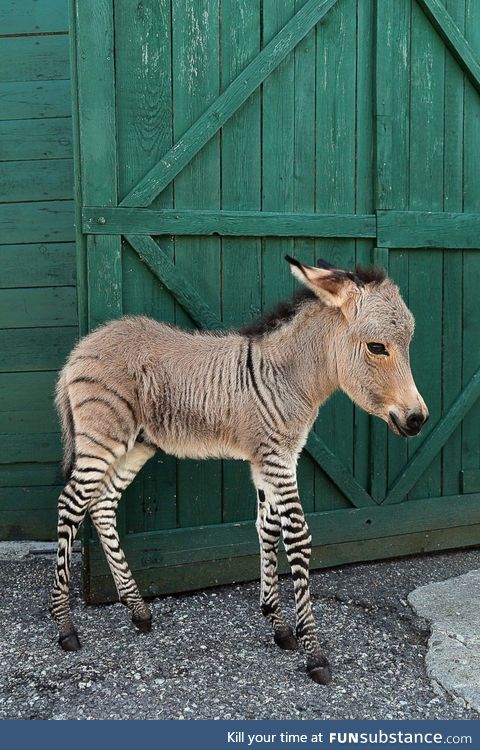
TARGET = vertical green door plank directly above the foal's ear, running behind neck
(335,161)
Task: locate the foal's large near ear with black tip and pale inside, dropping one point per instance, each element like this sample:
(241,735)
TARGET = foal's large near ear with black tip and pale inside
(332,285)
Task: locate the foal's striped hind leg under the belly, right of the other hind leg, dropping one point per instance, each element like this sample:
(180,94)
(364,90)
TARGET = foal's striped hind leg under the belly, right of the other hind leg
(103,514)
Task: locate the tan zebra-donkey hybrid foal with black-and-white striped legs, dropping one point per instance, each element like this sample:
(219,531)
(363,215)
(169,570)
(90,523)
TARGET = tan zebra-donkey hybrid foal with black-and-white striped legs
(136,385)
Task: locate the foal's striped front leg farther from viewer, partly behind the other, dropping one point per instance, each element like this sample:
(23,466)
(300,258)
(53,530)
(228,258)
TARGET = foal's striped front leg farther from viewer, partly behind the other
(269,530)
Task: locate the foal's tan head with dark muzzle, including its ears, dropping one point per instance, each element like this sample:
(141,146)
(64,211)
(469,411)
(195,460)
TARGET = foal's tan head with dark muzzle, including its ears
(372,330)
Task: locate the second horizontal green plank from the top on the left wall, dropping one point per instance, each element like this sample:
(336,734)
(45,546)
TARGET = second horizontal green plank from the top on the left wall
(34,58)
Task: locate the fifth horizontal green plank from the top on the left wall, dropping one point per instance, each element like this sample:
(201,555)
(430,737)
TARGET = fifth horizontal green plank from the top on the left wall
(48,179)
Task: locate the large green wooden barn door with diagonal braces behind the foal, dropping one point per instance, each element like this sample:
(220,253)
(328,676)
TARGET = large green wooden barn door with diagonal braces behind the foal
(213,139)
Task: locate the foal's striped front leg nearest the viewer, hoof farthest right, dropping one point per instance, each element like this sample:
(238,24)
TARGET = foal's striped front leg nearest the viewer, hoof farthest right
(281,481)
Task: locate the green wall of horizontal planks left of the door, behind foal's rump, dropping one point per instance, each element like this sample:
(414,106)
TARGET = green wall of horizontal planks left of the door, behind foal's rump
(38,308)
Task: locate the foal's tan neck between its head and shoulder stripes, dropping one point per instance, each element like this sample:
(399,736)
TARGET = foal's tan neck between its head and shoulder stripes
(305,347)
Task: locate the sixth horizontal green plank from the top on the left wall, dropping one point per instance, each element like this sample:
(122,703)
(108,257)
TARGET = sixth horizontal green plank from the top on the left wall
(42,221)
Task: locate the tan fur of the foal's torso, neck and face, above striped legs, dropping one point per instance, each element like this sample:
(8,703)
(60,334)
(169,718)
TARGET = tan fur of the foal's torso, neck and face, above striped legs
(189,392)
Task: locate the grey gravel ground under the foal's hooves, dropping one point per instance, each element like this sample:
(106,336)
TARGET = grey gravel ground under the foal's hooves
(210,654)
